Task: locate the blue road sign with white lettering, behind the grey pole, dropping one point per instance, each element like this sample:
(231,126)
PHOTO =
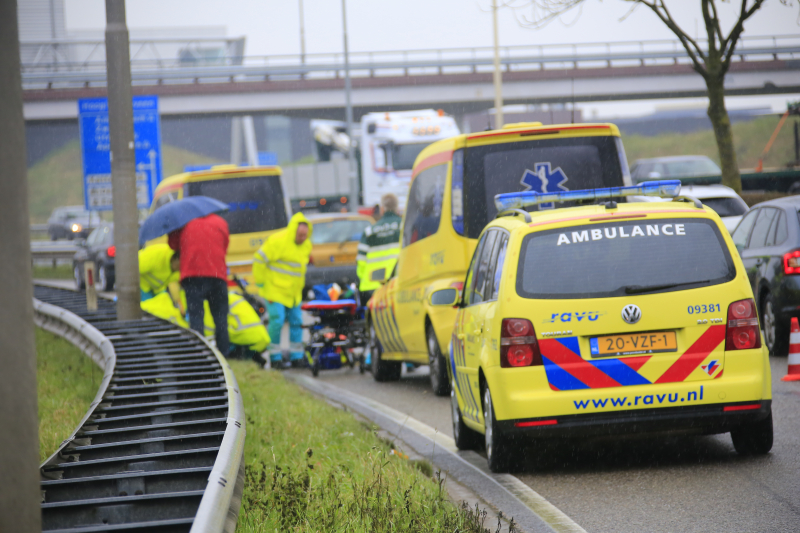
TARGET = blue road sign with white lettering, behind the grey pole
(96,150)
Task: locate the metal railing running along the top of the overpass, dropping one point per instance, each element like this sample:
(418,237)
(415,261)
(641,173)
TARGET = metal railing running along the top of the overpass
(322,66)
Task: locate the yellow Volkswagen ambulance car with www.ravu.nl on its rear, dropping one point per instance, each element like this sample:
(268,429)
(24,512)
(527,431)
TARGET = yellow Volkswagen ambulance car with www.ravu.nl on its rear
(606,319)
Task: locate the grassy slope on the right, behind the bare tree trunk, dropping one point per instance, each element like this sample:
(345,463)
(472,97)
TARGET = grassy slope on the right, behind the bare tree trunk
(750,138)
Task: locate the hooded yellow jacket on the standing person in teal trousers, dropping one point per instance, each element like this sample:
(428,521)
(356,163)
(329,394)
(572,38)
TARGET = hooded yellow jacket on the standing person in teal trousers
(279,266)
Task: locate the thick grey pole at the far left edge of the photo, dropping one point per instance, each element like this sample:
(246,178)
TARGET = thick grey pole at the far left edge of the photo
(20,493)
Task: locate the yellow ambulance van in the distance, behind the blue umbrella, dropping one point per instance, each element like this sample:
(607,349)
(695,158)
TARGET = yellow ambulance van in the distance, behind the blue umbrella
(256,197)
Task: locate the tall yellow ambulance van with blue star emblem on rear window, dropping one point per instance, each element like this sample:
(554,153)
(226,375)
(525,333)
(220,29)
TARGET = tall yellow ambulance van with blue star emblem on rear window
(450,201)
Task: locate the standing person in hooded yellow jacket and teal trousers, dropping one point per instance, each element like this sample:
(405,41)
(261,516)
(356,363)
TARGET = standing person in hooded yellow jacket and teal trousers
(279,270)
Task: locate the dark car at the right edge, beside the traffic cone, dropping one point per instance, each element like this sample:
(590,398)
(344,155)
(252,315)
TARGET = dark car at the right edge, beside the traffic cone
(768,240)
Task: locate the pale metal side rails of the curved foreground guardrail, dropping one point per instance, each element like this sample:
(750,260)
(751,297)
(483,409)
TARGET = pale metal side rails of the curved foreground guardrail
(219,507)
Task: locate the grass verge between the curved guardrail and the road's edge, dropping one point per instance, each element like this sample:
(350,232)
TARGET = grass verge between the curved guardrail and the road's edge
(312,467)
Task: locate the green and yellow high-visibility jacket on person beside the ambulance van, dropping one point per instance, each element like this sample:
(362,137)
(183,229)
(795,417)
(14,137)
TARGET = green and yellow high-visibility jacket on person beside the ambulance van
(379,248)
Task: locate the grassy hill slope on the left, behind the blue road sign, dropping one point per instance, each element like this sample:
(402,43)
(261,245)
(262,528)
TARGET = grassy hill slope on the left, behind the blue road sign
(58,178)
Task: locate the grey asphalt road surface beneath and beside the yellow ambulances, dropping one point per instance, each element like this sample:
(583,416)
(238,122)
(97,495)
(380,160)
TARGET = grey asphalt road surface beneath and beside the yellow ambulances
(681,484)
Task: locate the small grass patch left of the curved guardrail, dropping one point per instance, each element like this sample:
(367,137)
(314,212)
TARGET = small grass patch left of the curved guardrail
(67,382)
